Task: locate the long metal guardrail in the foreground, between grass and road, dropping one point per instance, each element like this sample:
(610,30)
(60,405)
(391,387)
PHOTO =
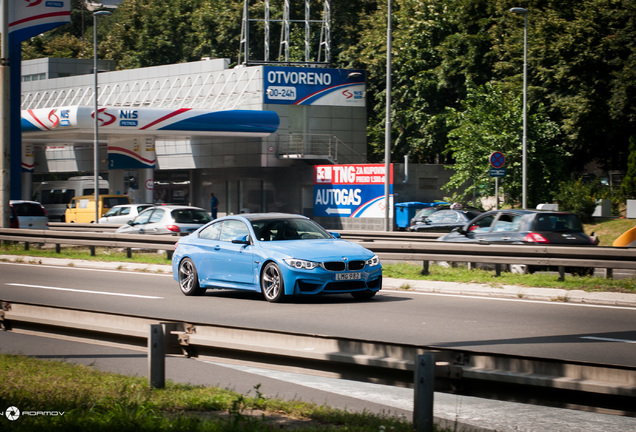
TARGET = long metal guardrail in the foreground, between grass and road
(505,377)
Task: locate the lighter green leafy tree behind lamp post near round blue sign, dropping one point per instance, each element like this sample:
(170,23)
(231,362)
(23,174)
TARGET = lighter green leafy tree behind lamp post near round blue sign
(490,119)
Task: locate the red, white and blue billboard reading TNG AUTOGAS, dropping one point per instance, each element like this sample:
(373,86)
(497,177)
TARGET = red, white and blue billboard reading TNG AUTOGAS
(351,190)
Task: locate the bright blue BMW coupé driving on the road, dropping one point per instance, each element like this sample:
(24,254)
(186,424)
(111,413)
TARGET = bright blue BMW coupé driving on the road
(277,254)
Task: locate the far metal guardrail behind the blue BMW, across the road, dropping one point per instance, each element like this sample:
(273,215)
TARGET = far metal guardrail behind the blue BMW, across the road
(607,258)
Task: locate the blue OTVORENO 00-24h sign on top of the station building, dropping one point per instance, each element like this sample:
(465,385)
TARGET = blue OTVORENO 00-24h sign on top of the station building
(314,86)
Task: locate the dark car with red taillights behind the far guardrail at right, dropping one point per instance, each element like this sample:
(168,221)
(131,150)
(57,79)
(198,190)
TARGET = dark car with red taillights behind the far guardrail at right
(523,227)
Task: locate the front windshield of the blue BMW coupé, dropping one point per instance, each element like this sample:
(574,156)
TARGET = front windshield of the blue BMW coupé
(288,229)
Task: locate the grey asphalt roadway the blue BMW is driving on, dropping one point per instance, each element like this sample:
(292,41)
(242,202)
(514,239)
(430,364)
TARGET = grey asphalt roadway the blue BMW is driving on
(573,332)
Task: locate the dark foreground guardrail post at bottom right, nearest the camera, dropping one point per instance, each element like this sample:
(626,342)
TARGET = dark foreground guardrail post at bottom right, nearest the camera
(424,391)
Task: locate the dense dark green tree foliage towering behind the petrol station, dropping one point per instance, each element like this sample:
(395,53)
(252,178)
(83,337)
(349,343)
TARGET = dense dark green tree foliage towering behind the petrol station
(581,69)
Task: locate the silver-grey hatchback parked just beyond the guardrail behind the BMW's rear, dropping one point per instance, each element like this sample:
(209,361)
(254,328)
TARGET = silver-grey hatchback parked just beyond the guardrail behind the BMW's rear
(167,219)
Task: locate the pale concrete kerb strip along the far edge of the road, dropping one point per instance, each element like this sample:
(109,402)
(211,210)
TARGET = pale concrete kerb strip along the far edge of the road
(428,286)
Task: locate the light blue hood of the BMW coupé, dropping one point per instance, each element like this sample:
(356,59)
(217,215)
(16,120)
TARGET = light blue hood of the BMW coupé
(319,249)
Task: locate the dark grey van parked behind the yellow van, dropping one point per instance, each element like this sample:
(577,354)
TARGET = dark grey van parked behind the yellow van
(55,195)
